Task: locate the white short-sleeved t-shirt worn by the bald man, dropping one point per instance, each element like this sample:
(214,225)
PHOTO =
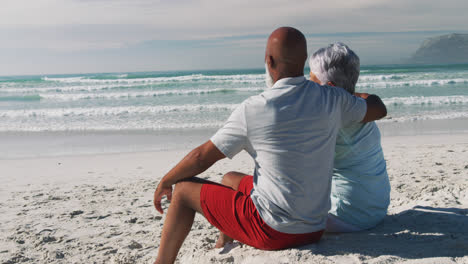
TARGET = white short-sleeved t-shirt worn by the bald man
(290,131)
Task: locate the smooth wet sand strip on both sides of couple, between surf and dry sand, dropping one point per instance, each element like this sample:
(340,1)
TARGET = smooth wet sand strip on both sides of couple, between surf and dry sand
(19,145)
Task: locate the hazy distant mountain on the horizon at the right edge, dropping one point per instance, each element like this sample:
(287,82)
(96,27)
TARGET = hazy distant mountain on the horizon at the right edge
(451,48)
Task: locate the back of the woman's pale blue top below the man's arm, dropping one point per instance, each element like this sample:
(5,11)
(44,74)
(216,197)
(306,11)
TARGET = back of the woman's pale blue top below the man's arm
(360,186)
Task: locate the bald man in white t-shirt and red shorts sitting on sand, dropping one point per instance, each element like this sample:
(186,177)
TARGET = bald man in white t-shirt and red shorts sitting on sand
(290,132)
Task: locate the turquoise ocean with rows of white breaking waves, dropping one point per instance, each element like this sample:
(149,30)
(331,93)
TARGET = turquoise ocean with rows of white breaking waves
(164,103)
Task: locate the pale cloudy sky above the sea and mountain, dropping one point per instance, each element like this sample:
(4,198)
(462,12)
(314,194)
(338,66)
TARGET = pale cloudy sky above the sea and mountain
(82,36)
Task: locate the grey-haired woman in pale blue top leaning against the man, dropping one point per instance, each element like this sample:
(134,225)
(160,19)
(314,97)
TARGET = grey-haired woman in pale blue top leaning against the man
(360,187)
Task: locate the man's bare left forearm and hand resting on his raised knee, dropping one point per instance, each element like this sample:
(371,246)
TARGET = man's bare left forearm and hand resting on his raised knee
(196,162)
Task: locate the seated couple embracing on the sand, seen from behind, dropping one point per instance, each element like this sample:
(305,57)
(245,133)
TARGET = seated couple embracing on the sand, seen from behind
(299,133)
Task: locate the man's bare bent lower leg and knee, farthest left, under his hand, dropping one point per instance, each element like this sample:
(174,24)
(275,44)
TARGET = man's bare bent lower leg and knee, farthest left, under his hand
(184,204)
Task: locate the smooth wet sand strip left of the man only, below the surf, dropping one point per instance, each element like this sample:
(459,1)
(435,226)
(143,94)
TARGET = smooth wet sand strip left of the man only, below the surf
(20,145)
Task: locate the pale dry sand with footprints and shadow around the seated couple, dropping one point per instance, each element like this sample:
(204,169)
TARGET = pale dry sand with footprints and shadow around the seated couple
(98,209)
